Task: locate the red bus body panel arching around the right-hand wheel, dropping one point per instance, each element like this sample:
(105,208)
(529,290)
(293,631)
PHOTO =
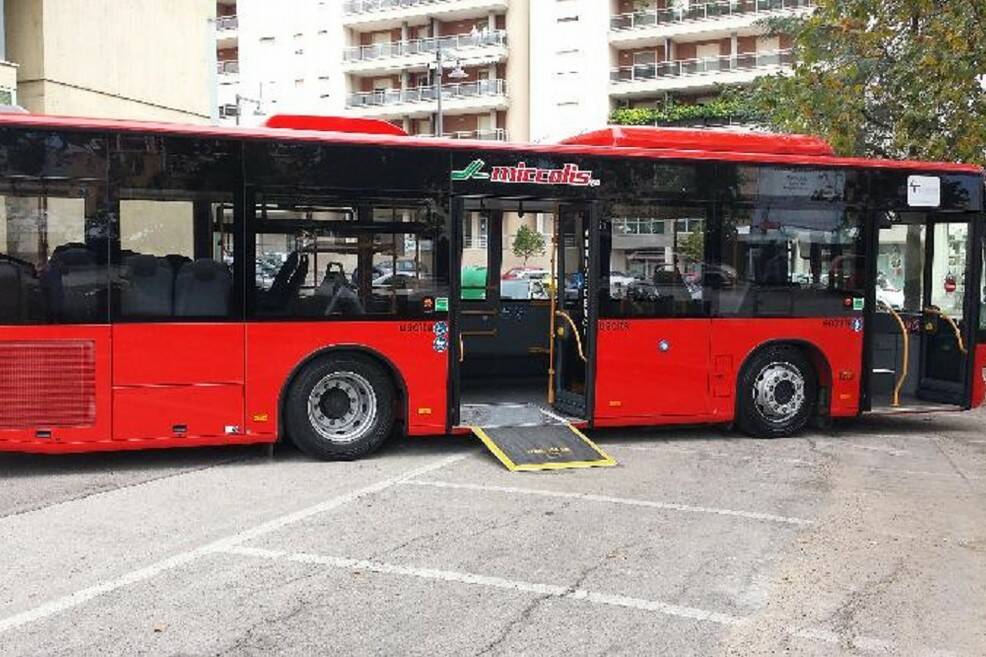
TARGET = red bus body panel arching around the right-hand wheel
(838,339)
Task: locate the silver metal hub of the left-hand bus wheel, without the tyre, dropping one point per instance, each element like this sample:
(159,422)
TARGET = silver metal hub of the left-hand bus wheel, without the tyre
(342,407)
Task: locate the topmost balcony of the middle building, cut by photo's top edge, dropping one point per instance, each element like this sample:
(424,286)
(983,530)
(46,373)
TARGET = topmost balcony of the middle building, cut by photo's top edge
(386,14)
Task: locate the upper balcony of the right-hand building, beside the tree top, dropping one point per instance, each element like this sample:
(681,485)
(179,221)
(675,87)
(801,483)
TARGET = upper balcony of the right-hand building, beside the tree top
(716,19)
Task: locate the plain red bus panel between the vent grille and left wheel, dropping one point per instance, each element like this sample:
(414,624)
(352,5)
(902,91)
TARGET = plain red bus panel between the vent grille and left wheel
(178,381)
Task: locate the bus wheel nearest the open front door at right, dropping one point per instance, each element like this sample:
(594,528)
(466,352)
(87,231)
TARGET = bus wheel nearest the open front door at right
(777,393)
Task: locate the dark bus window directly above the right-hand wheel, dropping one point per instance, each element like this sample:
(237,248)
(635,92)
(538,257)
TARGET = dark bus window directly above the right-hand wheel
(790,262)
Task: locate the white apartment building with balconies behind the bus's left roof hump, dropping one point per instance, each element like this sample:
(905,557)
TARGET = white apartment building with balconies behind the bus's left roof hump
(378,58)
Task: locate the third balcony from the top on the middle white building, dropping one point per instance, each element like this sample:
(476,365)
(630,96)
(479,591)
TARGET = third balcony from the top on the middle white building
(481,95)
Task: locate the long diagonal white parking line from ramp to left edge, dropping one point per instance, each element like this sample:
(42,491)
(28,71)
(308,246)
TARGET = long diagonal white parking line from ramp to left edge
(67,602)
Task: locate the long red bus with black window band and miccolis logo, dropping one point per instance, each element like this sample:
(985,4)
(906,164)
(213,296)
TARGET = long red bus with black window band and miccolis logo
(166,285)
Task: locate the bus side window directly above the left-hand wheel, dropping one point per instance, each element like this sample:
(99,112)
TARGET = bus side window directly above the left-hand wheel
(316,259)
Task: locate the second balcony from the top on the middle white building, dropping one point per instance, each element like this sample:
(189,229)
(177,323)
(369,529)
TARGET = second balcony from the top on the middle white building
(380,58)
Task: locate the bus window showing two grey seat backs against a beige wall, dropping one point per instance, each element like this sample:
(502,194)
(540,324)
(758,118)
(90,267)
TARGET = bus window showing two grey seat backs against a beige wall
(177,237)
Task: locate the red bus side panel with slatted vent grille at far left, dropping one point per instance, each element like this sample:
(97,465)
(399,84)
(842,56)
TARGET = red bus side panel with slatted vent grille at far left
(54,386)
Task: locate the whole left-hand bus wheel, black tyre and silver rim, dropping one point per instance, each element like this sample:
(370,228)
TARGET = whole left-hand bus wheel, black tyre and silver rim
(340,408)
